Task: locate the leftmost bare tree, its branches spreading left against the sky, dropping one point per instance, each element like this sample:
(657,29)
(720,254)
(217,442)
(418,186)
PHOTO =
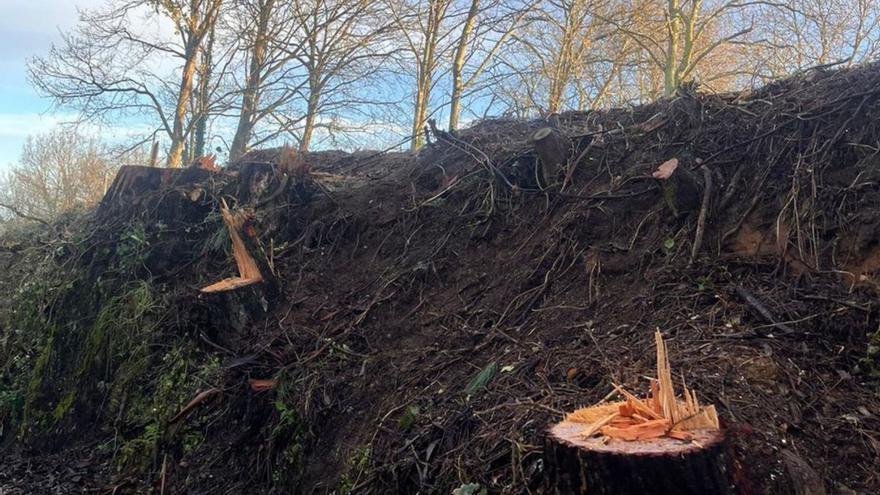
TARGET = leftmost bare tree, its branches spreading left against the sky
(113,67)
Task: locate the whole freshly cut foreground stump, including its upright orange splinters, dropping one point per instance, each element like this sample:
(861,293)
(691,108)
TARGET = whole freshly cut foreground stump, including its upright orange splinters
(661,444)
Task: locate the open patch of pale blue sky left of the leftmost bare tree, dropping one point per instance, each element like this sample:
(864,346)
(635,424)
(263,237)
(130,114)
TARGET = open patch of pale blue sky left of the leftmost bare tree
(27,28)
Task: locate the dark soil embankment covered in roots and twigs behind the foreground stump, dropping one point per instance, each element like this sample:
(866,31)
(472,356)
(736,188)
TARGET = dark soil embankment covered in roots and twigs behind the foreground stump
(428,316)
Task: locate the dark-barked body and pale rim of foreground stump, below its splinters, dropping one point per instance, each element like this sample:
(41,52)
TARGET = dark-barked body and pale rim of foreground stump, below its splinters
(597,466)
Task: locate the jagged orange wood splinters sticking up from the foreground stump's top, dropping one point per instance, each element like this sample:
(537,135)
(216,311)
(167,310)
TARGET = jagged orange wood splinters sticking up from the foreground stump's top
(658,415)
